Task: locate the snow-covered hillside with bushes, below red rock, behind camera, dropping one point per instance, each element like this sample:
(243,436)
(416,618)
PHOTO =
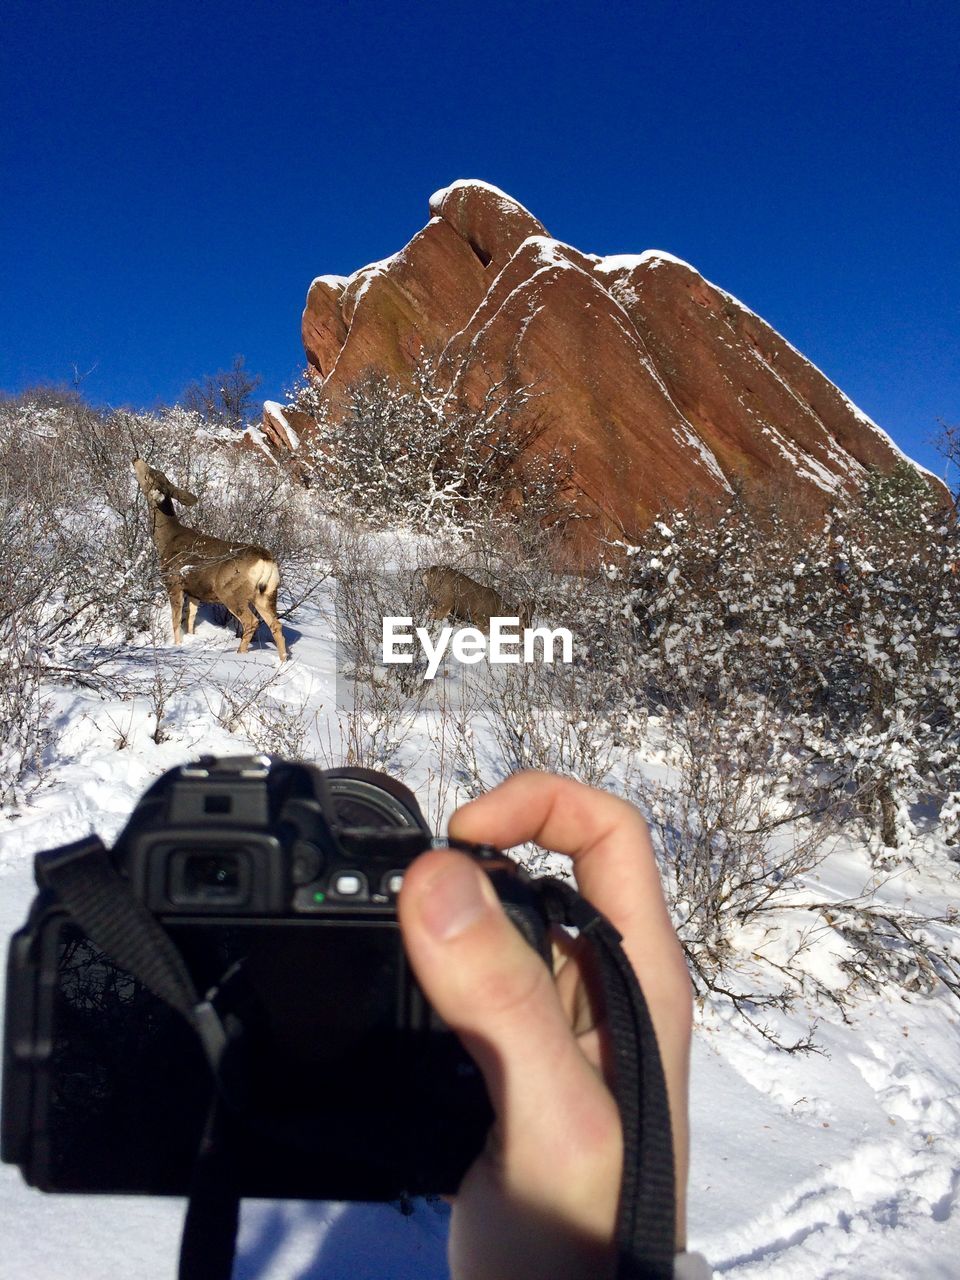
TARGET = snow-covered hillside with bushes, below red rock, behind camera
(839,1162)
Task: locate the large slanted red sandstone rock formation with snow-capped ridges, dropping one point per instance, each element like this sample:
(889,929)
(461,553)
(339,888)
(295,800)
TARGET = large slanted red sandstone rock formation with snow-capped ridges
(664,387)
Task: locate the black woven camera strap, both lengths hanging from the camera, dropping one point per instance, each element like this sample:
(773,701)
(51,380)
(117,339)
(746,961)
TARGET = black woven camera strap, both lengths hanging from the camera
(100,902)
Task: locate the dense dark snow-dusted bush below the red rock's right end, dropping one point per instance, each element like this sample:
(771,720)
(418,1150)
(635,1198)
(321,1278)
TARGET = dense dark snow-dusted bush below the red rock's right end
(852,632)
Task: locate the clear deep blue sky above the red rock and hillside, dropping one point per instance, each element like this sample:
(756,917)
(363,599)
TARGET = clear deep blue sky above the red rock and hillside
(173,175)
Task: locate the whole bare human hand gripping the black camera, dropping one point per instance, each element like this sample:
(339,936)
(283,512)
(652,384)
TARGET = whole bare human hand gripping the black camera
(541,1201)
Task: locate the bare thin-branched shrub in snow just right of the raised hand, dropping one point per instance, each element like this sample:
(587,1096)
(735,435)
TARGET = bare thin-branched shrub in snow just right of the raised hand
(733,847)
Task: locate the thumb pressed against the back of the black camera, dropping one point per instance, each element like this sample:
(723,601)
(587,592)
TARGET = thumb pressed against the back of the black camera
(493,990)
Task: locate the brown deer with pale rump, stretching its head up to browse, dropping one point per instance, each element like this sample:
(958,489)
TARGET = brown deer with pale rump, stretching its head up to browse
(198,568)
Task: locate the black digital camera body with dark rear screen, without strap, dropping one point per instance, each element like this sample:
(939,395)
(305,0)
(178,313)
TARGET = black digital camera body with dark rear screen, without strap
(278,885)
